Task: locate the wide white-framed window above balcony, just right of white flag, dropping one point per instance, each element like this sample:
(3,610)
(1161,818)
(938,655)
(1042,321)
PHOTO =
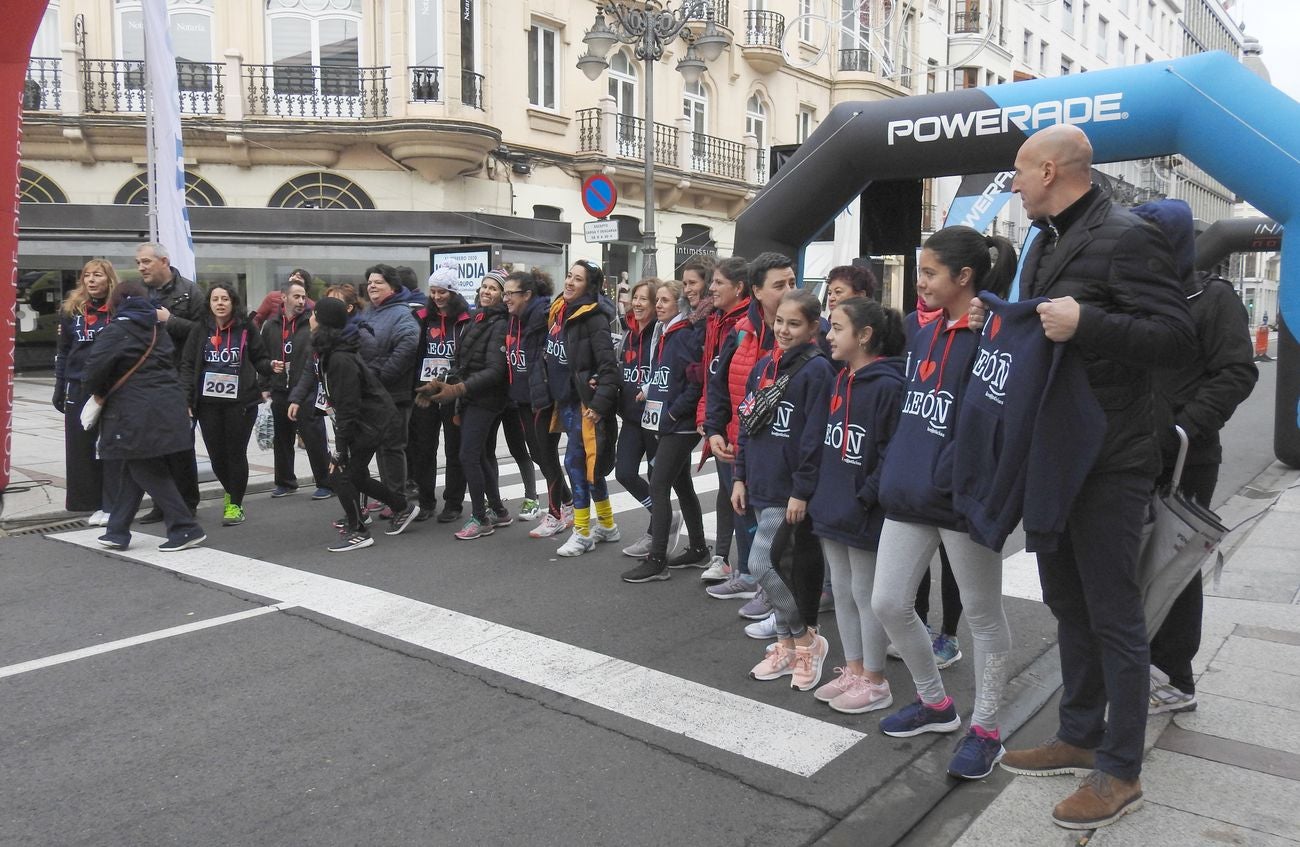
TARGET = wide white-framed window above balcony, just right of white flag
(315,46)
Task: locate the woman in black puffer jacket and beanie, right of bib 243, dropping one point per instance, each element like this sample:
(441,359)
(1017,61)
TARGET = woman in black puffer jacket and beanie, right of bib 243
(479,388)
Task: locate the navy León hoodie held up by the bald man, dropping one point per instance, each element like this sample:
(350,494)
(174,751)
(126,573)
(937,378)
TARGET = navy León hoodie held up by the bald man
(1032,431)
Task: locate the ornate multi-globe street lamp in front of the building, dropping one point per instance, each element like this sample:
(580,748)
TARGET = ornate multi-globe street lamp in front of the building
(652,25)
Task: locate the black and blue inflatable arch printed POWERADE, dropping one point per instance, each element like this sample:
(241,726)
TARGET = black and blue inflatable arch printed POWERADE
(1208,108)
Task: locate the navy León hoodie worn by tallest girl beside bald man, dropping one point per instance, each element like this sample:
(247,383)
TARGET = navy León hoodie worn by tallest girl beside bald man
(917,480)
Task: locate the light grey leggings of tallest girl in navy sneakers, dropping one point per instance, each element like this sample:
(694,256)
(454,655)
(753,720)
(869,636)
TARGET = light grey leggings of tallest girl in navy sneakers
(905,553)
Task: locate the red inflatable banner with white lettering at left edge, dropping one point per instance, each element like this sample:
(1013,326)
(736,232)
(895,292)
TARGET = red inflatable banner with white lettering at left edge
(24,19)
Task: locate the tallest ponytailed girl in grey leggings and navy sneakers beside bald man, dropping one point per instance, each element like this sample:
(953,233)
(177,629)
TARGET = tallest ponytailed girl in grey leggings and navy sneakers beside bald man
(916,489)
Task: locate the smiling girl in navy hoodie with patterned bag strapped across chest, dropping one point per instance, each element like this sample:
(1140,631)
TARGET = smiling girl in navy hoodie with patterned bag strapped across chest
(777,470)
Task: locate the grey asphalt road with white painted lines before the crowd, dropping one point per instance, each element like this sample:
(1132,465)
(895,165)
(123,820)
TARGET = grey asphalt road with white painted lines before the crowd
(317,726)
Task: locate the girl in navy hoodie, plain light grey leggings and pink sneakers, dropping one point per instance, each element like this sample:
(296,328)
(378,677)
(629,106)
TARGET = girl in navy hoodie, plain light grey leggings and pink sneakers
(863,416)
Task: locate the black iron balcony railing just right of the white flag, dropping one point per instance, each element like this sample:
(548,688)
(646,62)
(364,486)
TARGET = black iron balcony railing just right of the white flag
(317,92)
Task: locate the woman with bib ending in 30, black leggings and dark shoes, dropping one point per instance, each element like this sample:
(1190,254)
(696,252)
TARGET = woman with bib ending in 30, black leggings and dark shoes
(671,394)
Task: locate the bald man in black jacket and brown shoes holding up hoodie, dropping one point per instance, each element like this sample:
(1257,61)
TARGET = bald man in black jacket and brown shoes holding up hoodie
(1117,299)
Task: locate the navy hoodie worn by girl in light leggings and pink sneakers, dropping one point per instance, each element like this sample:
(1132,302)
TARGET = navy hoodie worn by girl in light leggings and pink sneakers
(861,419)
